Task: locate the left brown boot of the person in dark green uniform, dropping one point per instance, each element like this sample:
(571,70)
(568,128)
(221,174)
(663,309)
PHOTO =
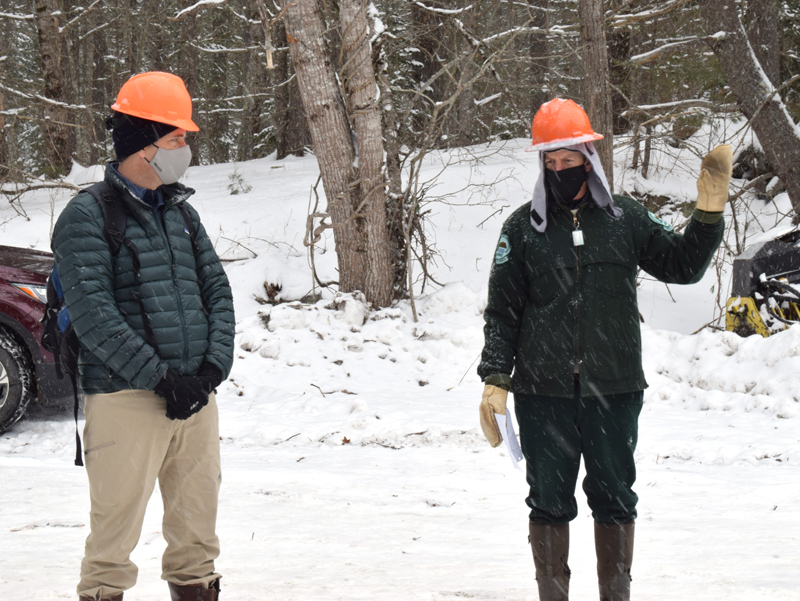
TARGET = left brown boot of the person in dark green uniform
(550,546)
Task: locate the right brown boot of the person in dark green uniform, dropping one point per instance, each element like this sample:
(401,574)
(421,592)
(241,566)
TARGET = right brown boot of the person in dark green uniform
(614,545)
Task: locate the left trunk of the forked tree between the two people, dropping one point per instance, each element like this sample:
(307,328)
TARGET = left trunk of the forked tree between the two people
(330,131)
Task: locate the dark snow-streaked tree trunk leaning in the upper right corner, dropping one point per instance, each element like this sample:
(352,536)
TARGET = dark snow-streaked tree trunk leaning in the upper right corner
(757,97)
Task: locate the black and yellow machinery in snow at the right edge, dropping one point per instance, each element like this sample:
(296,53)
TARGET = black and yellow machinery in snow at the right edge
(765,292)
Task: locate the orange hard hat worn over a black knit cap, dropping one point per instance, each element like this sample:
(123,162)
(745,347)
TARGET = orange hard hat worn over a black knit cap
(157,96)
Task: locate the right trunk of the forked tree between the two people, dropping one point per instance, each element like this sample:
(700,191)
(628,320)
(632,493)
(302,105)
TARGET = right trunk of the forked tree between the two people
(361,92)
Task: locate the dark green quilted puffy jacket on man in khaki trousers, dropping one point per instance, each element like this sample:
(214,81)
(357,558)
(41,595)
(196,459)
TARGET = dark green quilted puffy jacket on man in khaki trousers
(188,299)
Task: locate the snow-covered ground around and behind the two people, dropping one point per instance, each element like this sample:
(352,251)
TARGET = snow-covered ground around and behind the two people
(353,464)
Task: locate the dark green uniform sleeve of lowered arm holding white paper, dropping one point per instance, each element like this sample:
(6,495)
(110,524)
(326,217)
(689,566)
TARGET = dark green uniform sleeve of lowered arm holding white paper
(504,312)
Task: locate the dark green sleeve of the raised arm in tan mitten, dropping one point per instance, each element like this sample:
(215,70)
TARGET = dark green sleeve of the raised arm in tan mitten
(678,258)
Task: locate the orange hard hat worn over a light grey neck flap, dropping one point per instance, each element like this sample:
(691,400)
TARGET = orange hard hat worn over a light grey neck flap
(560,123)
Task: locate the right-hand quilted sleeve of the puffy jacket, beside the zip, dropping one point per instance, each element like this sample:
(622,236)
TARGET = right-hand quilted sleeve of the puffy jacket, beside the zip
(217,298)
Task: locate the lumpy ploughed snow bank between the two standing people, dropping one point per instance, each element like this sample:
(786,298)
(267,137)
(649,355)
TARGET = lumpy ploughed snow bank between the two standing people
(334,373)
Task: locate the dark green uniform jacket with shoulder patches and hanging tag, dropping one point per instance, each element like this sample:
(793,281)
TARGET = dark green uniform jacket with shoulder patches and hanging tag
(556,309)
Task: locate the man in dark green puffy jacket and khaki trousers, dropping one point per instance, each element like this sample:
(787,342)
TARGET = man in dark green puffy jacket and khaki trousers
(155,325)
